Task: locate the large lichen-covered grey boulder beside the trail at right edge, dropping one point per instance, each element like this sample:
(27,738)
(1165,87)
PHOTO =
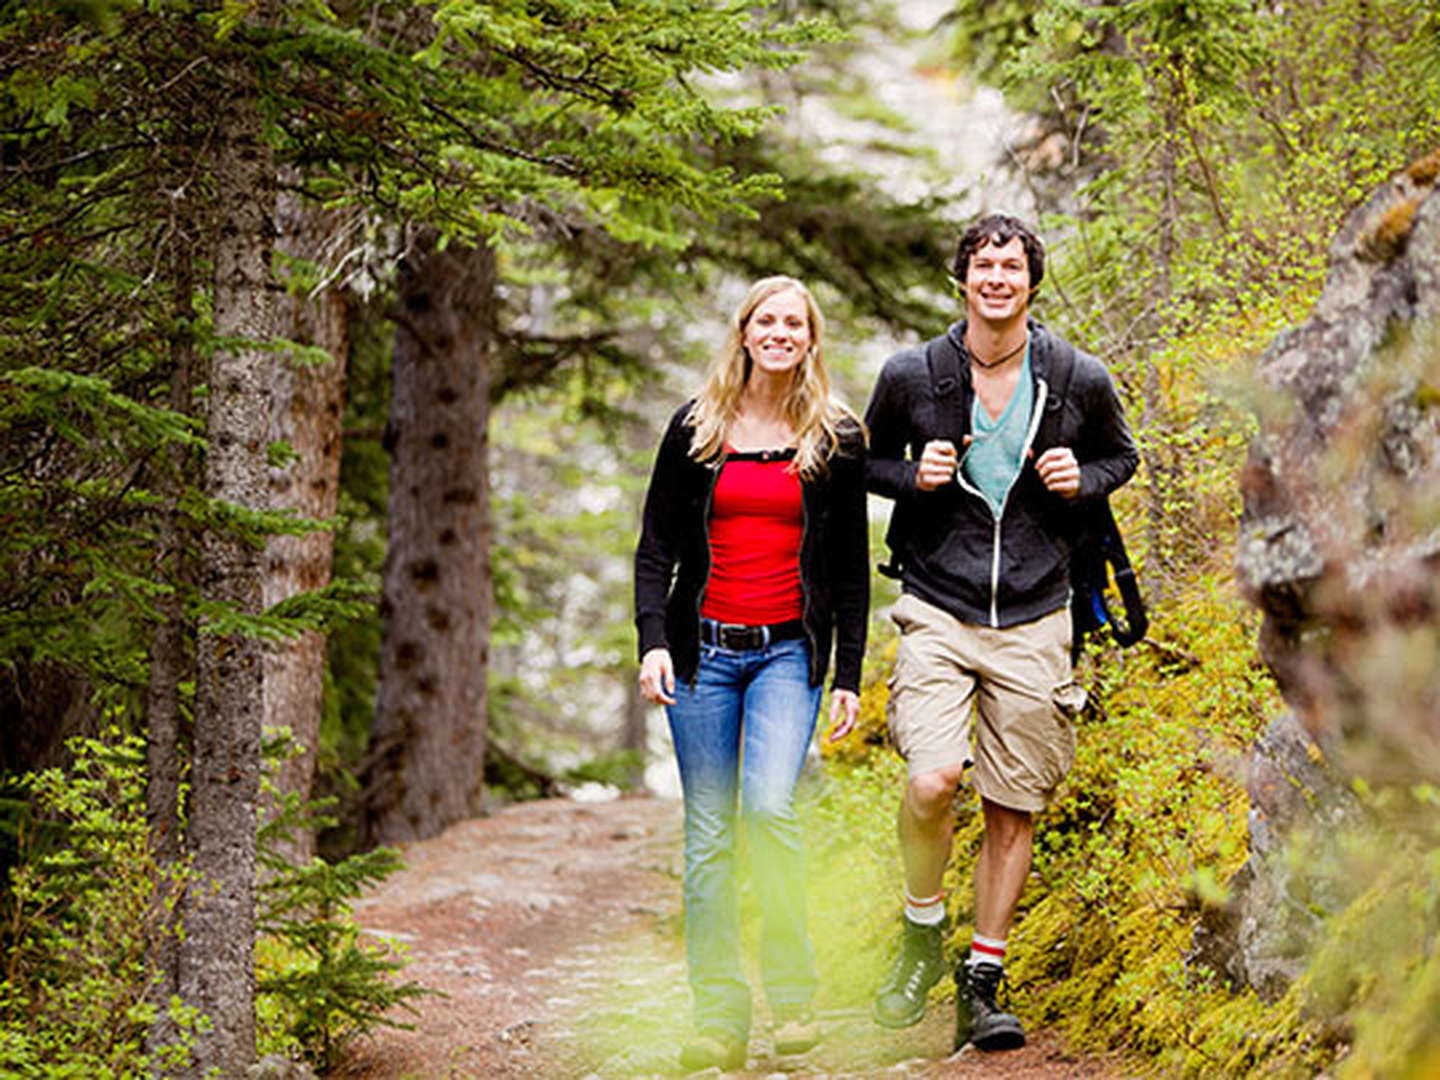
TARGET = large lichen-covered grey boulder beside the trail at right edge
(1340,549)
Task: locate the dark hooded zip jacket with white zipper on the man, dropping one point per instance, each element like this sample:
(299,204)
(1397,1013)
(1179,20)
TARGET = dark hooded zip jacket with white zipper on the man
(957,555)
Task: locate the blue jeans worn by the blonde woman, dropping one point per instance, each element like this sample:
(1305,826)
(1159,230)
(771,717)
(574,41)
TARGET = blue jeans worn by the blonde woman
(760,701)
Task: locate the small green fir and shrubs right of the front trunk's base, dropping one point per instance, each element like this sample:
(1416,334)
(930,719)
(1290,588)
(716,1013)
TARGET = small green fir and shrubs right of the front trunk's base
(320,984)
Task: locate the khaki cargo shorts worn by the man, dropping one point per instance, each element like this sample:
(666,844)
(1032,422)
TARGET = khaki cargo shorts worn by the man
(1007,690)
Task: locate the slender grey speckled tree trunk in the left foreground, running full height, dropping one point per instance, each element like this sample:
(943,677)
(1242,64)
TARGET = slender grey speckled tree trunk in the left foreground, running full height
(217,958)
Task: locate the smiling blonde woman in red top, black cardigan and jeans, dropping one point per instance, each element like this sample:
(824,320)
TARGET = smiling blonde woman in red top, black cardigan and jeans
(754,559)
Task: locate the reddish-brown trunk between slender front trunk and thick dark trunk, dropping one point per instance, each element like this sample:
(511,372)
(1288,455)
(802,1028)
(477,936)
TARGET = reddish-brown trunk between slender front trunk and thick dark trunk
(306,414)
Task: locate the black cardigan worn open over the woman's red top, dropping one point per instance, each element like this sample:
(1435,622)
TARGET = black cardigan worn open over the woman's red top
(673,558)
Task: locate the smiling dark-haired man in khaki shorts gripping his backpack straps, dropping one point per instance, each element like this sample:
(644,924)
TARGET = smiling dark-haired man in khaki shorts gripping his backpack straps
(989,454)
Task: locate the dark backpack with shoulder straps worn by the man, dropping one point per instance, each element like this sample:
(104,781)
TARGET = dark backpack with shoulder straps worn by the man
(1098,551)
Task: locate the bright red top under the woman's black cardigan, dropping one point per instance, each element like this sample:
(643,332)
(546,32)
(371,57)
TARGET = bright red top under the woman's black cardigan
(757,525)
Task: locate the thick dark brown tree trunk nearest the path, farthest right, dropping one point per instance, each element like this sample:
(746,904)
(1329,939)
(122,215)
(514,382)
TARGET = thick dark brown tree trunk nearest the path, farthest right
(428,744)
